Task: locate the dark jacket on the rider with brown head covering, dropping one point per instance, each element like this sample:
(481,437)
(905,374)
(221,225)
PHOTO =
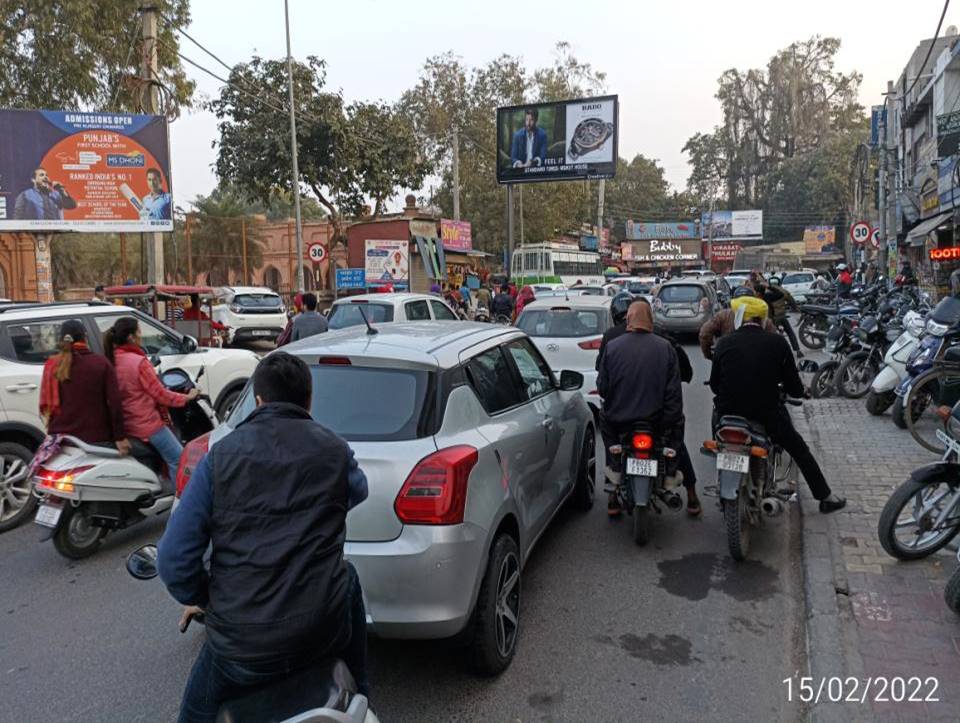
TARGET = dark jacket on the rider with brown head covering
(639,380)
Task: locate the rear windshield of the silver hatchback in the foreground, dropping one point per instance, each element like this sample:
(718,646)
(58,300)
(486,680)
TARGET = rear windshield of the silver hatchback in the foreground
(362,404)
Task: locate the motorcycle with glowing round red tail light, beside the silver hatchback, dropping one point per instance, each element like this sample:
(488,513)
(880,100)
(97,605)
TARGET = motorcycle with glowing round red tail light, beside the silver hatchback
(644,482)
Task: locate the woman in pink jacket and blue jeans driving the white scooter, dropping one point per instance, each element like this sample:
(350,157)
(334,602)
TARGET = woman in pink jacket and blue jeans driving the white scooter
(143,397)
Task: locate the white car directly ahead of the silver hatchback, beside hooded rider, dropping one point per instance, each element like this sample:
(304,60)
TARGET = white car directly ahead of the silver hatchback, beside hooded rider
(568,333)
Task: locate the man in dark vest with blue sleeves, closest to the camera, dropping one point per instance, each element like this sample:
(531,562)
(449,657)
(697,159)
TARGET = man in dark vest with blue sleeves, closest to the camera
(272,498)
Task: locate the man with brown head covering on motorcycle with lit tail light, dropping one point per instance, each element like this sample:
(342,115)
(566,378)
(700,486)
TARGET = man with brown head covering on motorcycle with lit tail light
(639,381)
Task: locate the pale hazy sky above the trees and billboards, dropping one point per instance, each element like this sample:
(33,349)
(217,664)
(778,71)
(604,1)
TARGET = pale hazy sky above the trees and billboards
(662,58)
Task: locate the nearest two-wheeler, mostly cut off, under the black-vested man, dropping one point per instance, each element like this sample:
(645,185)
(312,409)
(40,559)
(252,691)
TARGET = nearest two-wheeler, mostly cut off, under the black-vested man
(325,693)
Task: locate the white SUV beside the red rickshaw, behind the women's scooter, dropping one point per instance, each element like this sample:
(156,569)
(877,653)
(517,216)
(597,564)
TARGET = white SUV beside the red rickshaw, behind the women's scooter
(250,313)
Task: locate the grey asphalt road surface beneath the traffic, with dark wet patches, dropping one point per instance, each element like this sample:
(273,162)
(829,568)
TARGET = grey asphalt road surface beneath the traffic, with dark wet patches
(610,631)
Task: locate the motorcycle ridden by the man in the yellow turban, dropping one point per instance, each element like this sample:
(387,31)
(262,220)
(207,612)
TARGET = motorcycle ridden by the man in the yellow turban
(749,468)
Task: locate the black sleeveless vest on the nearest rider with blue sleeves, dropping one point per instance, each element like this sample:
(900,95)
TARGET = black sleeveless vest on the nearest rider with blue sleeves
(278,581)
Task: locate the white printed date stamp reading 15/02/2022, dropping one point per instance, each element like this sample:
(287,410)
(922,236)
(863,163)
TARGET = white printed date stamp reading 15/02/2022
(808,689)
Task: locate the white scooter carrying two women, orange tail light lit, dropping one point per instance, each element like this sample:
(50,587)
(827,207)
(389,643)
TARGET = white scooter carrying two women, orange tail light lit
(86,491)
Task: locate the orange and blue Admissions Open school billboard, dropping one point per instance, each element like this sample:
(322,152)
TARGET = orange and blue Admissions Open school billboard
(87,172)
